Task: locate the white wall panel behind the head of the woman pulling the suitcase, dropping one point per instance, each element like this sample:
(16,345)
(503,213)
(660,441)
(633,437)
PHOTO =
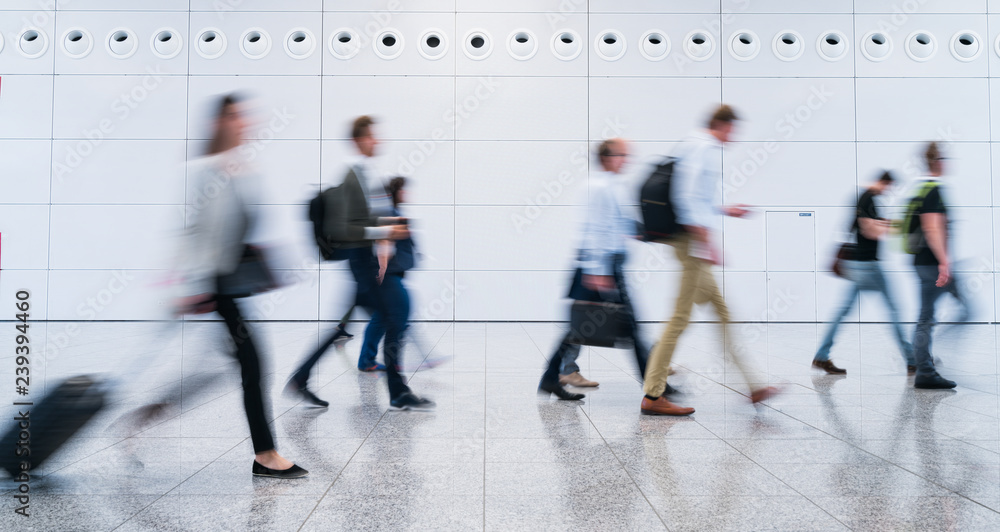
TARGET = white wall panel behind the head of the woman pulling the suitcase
(277,107)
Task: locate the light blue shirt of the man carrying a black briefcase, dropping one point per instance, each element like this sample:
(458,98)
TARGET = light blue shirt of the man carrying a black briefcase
(605,227)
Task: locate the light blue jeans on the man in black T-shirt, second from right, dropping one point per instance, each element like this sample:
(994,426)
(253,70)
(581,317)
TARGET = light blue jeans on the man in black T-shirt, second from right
(865,275)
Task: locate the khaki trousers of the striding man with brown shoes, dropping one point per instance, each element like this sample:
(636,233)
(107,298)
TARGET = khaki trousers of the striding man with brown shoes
(698,286)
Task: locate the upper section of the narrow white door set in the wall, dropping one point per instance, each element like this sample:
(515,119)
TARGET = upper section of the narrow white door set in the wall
(791,241)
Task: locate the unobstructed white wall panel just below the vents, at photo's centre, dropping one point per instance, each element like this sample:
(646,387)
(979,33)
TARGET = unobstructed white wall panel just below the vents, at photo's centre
(496,108)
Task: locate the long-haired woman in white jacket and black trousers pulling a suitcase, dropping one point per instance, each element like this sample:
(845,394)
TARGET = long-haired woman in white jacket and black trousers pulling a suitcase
(222,212)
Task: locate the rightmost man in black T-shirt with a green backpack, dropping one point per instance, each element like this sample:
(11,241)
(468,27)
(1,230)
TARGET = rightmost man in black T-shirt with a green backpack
(925,236)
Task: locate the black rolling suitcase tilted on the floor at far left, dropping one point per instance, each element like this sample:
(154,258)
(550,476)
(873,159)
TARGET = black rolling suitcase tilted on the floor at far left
(51,422)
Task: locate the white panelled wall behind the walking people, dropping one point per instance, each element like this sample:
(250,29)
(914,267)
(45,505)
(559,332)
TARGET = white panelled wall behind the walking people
(92,149)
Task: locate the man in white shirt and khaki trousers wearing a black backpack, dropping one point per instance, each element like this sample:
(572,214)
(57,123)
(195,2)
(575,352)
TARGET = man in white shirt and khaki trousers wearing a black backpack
(697,192)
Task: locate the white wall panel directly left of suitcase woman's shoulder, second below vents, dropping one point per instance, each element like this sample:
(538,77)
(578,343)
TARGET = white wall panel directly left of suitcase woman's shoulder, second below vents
(118,171)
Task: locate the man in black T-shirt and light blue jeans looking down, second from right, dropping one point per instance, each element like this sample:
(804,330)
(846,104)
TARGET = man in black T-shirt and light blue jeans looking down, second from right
(865,273)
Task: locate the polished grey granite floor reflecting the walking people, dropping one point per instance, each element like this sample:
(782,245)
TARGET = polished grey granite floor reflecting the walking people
(862,452)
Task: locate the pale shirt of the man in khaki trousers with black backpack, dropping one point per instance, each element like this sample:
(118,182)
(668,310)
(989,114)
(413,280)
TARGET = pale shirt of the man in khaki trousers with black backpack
(697,180)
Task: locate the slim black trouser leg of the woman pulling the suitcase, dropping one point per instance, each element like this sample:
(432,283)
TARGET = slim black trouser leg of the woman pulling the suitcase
(246,354)
